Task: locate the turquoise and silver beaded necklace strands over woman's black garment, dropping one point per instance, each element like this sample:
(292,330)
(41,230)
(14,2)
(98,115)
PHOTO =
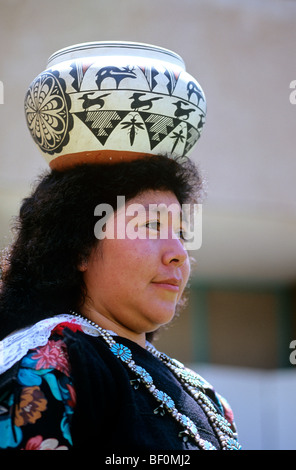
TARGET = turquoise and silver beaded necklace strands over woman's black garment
(191,382)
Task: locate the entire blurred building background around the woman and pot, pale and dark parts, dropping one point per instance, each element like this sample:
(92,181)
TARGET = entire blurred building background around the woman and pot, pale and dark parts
(241,315)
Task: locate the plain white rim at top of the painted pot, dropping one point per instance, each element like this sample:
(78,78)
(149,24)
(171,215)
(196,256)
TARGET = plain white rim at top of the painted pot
(113,48)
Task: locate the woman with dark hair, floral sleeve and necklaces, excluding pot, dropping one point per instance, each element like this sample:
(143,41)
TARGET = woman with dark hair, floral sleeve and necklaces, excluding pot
(79,306)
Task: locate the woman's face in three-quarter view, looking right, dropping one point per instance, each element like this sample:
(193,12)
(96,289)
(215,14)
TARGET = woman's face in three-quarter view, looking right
(136,275)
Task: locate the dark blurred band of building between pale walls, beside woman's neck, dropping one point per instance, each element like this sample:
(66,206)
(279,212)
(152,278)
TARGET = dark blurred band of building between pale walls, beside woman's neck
(234,326)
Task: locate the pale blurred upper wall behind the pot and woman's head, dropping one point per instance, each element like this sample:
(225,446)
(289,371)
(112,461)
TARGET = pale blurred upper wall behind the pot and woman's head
(243,55)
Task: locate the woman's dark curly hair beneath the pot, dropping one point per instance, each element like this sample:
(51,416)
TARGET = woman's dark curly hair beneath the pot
(55,231)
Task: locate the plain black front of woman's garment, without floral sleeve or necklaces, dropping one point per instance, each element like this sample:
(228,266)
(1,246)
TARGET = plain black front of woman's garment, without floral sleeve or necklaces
(111,413)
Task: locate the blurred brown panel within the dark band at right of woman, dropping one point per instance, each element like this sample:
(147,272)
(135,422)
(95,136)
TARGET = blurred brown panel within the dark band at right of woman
(243,329)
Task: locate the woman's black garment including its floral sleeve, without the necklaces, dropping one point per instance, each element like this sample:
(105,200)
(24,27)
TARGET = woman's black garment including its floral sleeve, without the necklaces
(74,393)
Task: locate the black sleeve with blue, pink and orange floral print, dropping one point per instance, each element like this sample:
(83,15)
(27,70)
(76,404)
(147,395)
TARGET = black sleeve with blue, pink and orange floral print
(38,391)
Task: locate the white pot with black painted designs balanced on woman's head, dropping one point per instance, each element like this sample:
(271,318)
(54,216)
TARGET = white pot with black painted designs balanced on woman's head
(108,101)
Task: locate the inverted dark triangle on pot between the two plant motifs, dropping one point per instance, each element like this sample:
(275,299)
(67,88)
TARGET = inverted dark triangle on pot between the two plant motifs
(158,127)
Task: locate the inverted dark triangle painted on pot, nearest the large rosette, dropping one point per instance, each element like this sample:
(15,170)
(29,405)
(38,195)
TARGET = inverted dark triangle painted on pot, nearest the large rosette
(102,123)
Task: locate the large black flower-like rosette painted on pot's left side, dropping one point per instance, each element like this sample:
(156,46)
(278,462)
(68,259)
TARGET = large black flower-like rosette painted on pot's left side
(47,108)
